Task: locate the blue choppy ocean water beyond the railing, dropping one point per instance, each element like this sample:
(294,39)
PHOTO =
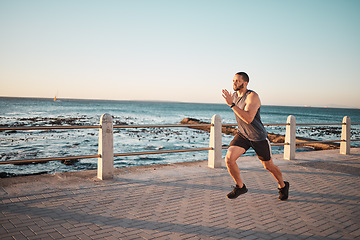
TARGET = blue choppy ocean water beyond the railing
(16,145)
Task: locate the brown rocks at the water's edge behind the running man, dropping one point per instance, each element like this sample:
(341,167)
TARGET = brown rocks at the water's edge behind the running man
(274,138)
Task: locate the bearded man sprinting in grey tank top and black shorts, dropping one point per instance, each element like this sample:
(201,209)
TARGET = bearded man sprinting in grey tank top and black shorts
(251,133)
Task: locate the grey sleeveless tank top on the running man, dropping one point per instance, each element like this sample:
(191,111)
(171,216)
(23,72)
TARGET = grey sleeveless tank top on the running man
(255,131)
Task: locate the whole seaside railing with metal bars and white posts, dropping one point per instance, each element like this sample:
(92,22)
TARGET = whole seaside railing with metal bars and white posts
(214,148)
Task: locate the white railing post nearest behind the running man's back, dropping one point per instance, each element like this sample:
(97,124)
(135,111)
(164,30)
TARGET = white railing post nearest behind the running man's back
(290,138)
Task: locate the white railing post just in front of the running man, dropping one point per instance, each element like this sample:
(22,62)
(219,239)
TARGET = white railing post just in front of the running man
(214,159)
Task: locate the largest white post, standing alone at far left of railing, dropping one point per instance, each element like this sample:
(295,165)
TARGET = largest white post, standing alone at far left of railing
(106,150)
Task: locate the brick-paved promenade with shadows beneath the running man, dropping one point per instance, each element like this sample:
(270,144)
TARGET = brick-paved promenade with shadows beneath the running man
(188,201)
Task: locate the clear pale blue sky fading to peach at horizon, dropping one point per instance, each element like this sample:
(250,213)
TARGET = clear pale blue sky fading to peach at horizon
(304,52)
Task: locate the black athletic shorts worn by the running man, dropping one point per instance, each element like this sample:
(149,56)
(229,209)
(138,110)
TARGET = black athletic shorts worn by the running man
(262,148)
